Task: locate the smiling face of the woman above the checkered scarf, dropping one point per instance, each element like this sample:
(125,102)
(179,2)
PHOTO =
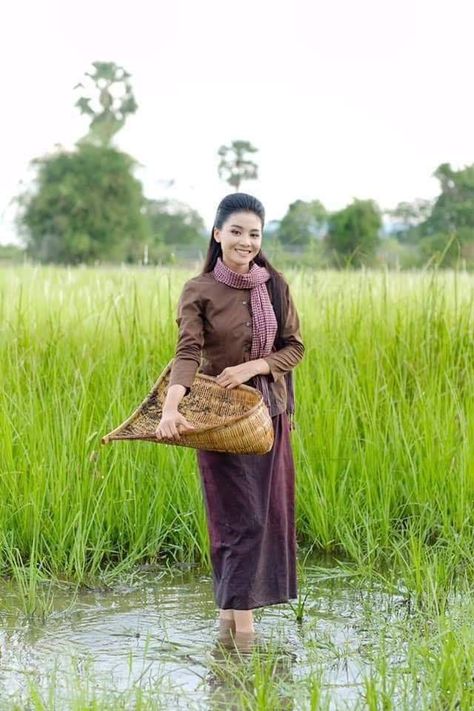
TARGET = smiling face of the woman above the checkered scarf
(240,239)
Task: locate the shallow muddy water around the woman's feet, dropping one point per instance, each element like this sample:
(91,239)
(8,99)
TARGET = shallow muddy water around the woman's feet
(158,632)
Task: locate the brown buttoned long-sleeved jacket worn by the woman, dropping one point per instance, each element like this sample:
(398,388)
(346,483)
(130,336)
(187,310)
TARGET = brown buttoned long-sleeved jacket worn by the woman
(215,332)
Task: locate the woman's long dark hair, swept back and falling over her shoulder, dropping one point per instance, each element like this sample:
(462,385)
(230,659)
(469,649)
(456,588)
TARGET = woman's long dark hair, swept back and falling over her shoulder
(243,202)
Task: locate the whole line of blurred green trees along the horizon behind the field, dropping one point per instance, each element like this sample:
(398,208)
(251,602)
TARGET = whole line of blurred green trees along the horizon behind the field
(87,207)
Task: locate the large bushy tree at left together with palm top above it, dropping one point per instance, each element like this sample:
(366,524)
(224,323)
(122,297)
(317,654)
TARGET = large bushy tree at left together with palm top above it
(86,205)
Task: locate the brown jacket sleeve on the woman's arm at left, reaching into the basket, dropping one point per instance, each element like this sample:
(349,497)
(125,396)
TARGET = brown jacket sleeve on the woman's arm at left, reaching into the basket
(190,337)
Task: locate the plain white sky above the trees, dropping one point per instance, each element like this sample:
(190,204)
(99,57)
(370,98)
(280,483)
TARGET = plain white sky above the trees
(343,98)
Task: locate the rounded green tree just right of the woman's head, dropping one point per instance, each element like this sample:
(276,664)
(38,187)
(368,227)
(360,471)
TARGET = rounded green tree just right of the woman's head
(303,222)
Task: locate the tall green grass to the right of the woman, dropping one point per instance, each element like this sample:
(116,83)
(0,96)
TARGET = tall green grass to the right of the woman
(385,442)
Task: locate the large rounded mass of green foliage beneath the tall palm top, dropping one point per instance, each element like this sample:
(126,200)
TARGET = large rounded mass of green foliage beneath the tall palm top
(87,206)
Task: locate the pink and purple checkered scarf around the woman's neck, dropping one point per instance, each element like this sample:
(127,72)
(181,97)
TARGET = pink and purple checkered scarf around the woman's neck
(264,323)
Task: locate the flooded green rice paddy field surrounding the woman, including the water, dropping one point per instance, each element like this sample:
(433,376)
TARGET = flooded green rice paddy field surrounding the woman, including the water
(384,448)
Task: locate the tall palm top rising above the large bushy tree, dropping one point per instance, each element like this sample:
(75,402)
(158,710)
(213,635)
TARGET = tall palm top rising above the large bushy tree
(111,93)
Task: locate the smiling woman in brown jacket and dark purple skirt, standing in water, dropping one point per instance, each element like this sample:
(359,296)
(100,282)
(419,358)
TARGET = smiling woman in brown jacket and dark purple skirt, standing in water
(237,321)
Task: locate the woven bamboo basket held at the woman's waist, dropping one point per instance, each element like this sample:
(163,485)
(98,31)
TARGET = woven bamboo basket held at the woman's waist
(235,421)
